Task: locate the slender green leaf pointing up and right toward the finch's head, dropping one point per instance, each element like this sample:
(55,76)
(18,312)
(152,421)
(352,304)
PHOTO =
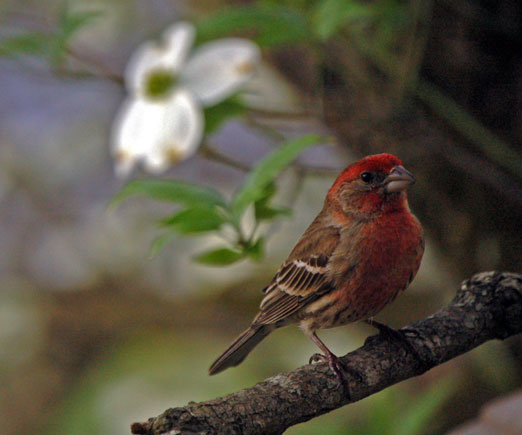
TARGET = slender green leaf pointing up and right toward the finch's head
(264,173)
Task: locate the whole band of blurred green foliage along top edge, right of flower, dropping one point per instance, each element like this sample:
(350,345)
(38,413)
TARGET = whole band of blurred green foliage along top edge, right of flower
(271,23)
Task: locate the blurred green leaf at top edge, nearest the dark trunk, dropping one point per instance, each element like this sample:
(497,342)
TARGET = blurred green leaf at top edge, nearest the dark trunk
(331,15)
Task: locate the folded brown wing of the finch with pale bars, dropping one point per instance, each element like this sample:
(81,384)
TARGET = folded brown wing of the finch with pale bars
(300,280)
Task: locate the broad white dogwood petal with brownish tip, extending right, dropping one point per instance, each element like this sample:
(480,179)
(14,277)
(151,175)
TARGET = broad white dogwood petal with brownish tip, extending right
(218,69)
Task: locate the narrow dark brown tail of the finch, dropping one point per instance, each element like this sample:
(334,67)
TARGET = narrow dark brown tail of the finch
(240,348)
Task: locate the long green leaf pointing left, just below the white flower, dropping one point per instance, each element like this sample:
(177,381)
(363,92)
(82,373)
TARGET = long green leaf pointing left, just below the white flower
(180,192)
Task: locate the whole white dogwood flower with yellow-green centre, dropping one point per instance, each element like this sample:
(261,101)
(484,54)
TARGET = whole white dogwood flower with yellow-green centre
(161,122)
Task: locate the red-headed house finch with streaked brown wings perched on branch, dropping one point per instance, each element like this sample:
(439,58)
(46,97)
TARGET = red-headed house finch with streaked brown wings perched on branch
(359,253)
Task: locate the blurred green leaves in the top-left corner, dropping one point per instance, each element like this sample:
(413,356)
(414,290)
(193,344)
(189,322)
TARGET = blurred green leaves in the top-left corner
(52,46)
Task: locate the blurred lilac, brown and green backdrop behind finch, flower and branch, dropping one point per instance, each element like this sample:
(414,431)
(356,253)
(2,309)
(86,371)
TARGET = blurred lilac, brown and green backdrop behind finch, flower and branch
(95,333)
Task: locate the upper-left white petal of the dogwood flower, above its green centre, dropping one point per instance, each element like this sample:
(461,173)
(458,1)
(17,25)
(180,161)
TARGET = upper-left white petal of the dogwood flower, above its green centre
(166,55)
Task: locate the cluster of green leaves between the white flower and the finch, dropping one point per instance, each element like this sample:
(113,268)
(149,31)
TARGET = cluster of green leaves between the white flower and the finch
(204,210)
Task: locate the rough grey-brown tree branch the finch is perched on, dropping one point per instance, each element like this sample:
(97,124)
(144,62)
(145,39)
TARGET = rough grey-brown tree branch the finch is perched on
(487,306)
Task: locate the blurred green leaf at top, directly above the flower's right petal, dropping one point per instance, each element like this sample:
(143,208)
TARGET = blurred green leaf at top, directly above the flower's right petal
(267,24)
